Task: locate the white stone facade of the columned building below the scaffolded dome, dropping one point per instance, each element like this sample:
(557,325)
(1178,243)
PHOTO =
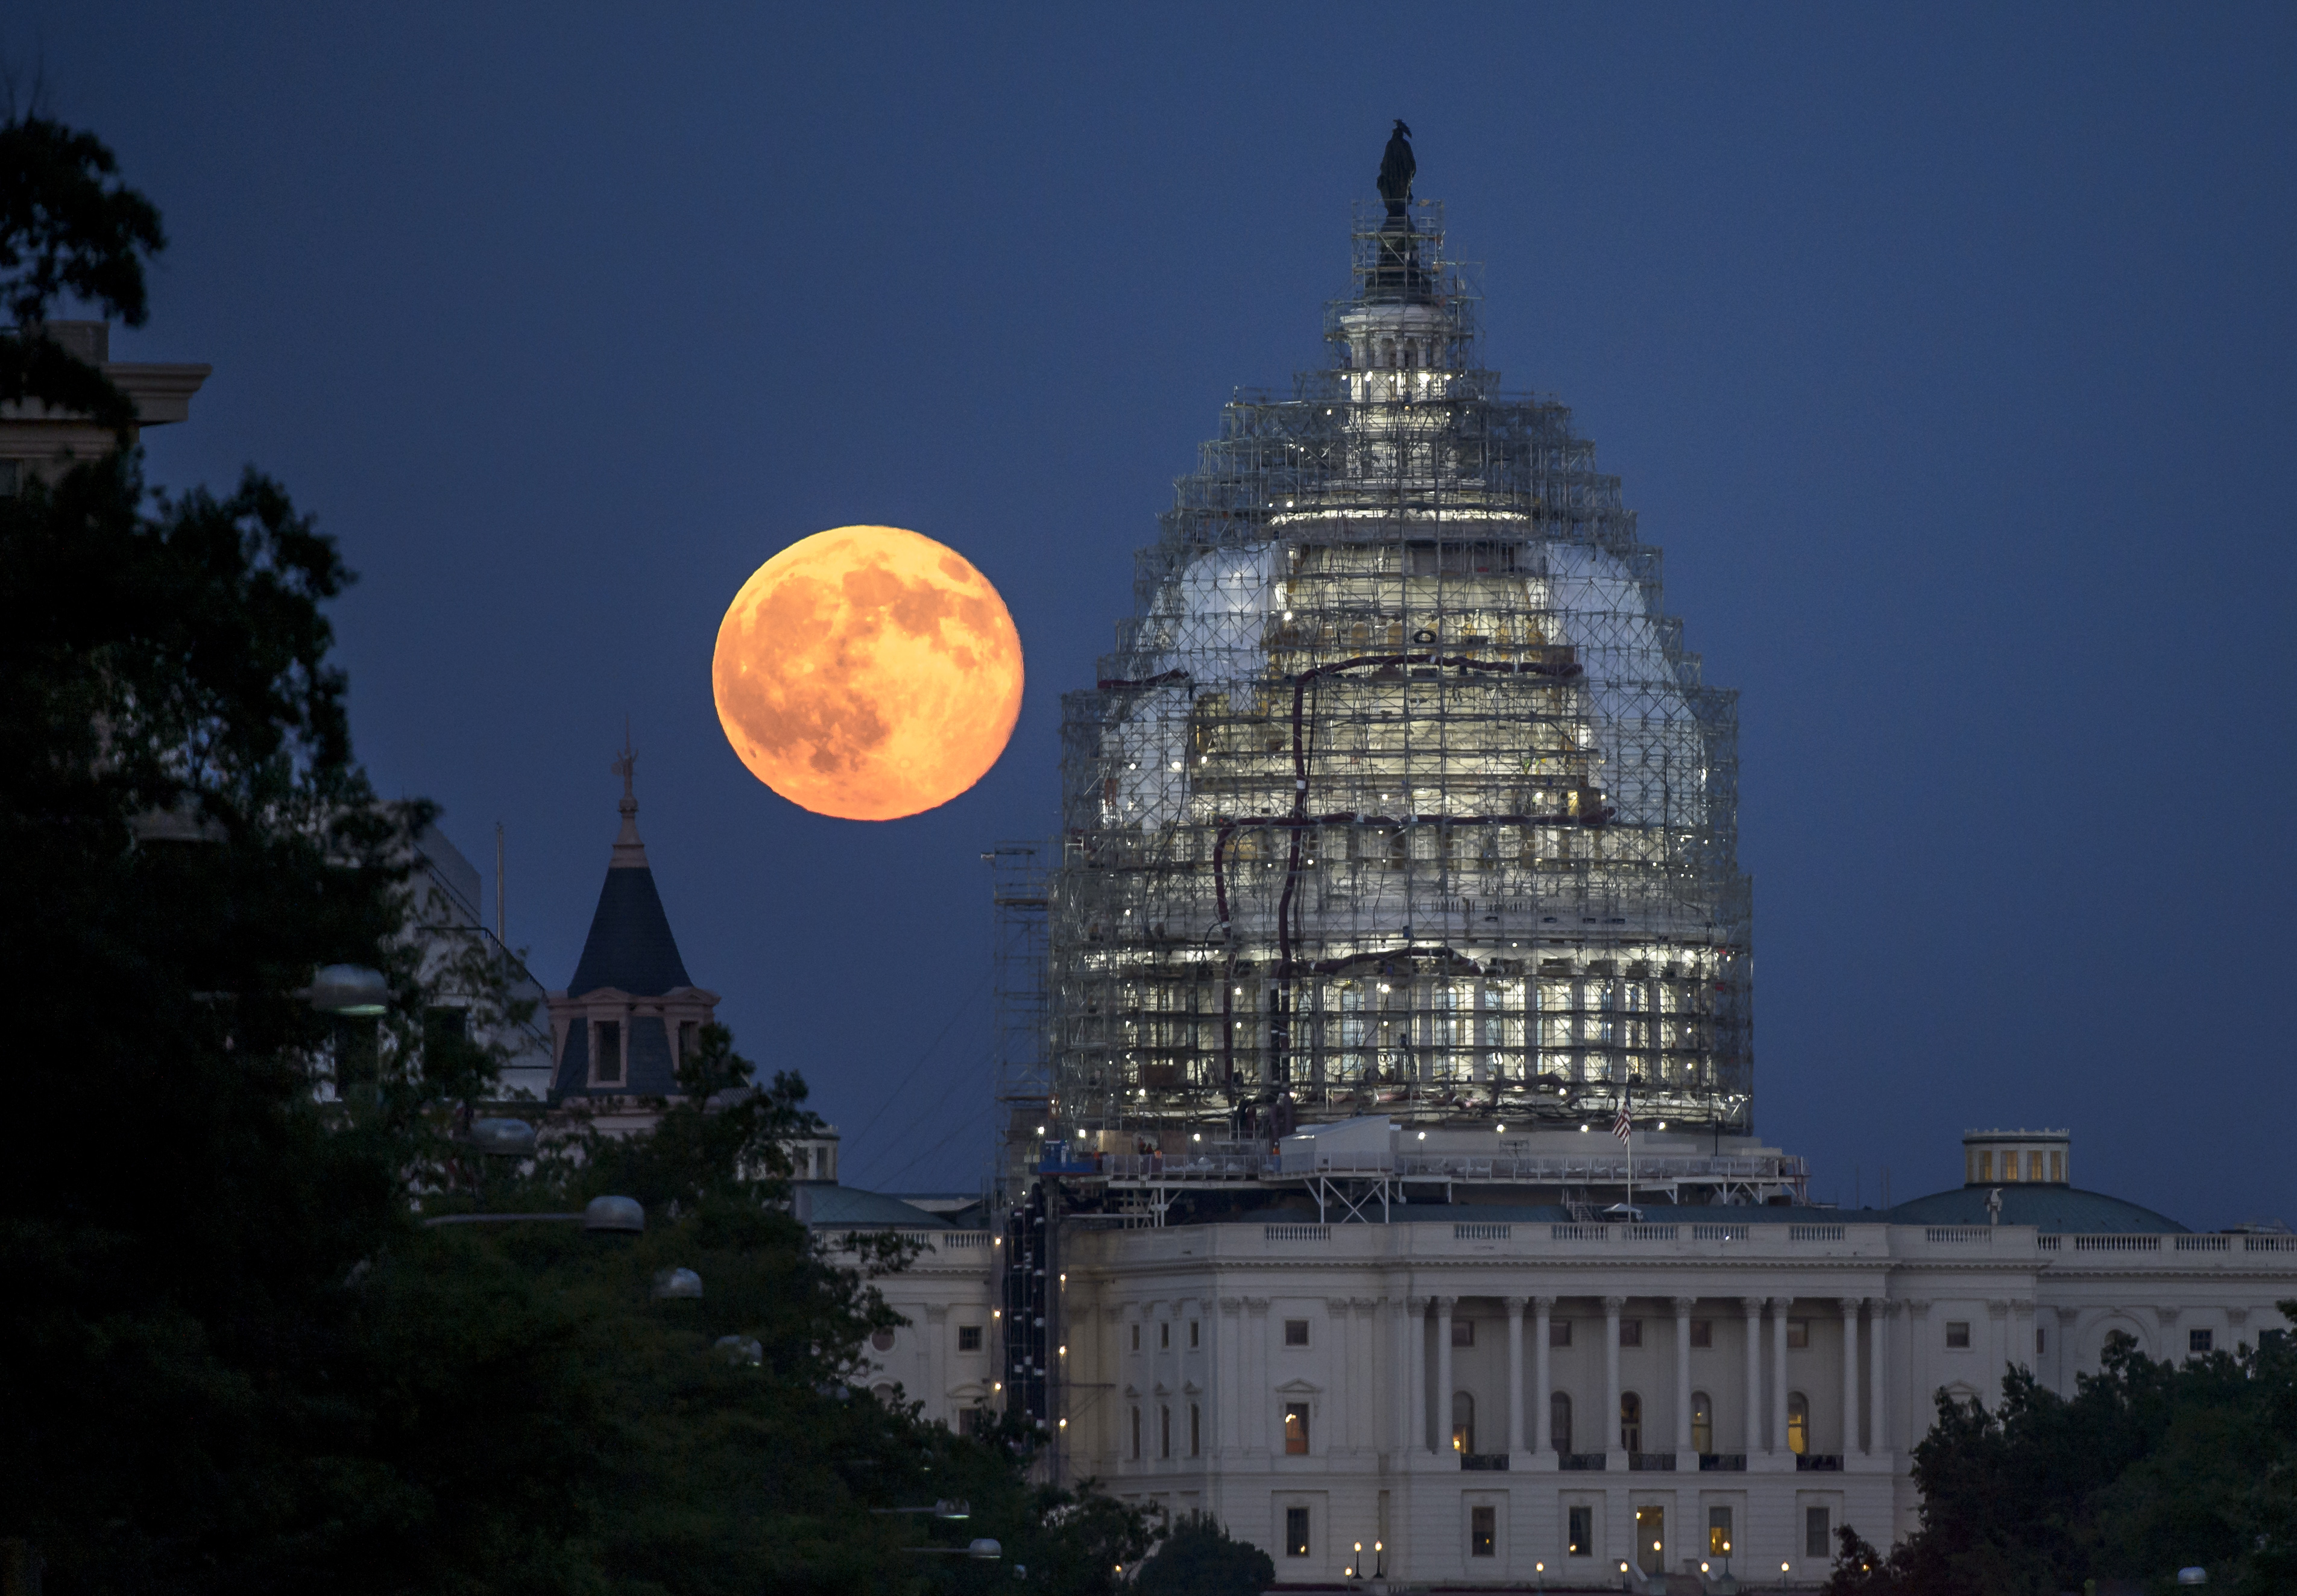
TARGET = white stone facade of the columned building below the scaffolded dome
(1797,1356)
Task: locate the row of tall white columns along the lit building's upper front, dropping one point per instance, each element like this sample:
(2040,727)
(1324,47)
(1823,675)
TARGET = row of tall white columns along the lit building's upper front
(1414,1372)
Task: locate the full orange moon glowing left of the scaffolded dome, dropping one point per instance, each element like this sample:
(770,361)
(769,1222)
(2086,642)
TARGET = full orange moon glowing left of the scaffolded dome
(867,674)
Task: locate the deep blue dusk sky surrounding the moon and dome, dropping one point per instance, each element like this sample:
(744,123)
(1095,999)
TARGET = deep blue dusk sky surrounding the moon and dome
(1947,352)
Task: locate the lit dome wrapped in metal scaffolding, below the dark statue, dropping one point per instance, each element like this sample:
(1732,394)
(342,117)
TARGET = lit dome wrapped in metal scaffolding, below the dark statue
(1400,791)
